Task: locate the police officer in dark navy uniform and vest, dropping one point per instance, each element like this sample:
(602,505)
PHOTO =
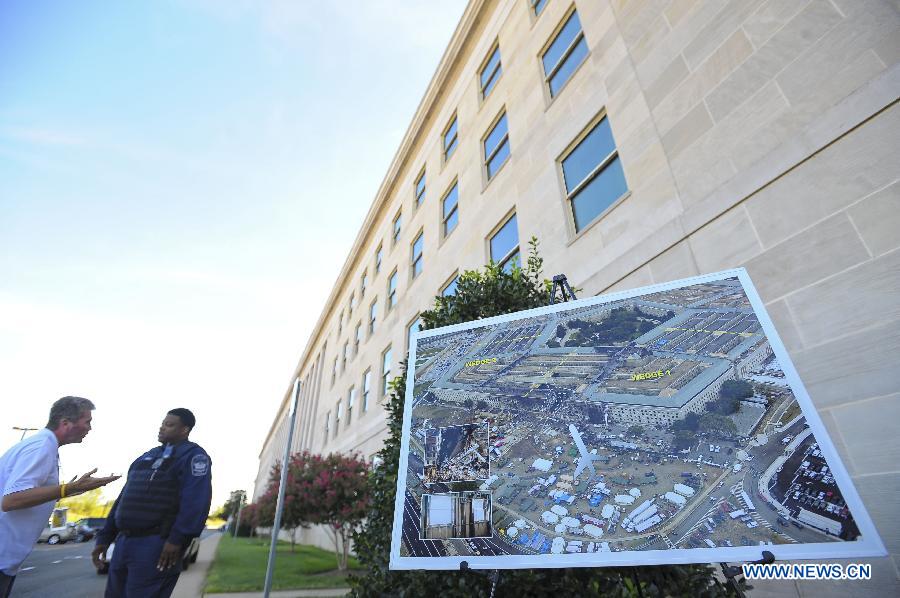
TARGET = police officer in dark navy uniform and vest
(162,507)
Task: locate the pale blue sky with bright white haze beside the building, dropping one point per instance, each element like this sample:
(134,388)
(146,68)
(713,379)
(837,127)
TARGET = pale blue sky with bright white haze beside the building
(180,183)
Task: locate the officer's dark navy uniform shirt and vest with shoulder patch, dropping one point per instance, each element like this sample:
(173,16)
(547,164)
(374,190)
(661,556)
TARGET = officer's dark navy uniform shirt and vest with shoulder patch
(168,492)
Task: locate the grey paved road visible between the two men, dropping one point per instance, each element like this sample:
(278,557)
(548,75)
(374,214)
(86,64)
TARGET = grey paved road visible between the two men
(61,570)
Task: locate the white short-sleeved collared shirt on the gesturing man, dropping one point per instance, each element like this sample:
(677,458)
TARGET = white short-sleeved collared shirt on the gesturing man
(32,463)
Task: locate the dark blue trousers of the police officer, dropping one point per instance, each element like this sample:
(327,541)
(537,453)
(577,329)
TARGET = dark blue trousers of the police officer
(133,572)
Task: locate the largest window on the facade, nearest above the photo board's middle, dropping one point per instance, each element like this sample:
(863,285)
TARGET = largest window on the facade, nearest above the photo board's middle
(593,175)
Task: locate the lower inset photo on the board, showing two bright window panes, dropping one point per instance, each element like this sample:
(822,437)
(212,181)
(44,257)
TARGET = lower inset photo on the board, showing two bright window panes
(456,515)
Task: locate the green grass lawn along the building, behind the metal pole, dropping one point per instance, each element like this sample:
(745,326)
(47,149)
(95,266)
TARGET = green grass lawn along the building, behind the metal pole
(240,566)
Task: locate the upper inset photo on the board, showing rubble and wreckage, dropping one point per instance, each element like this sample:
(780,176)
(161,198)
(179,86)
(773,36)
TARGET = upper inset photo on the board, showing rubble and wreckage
(456,454)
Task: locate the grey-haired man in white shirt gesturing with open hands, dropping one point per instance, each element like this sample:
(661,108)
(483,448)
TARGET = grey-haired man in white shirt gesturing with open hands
(29,482)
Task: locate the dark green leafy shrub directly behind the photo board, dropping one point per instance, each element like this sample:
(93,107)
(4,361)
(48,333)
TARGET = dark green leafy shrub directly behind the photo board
(480,294)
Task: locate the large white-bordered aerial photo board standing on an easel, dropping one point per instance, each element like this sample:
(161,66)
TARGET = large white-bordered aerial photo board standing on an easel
(661,425)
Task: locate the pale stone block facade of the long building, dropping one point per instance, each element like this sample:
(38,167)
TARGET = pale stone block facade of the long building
(751,133)
